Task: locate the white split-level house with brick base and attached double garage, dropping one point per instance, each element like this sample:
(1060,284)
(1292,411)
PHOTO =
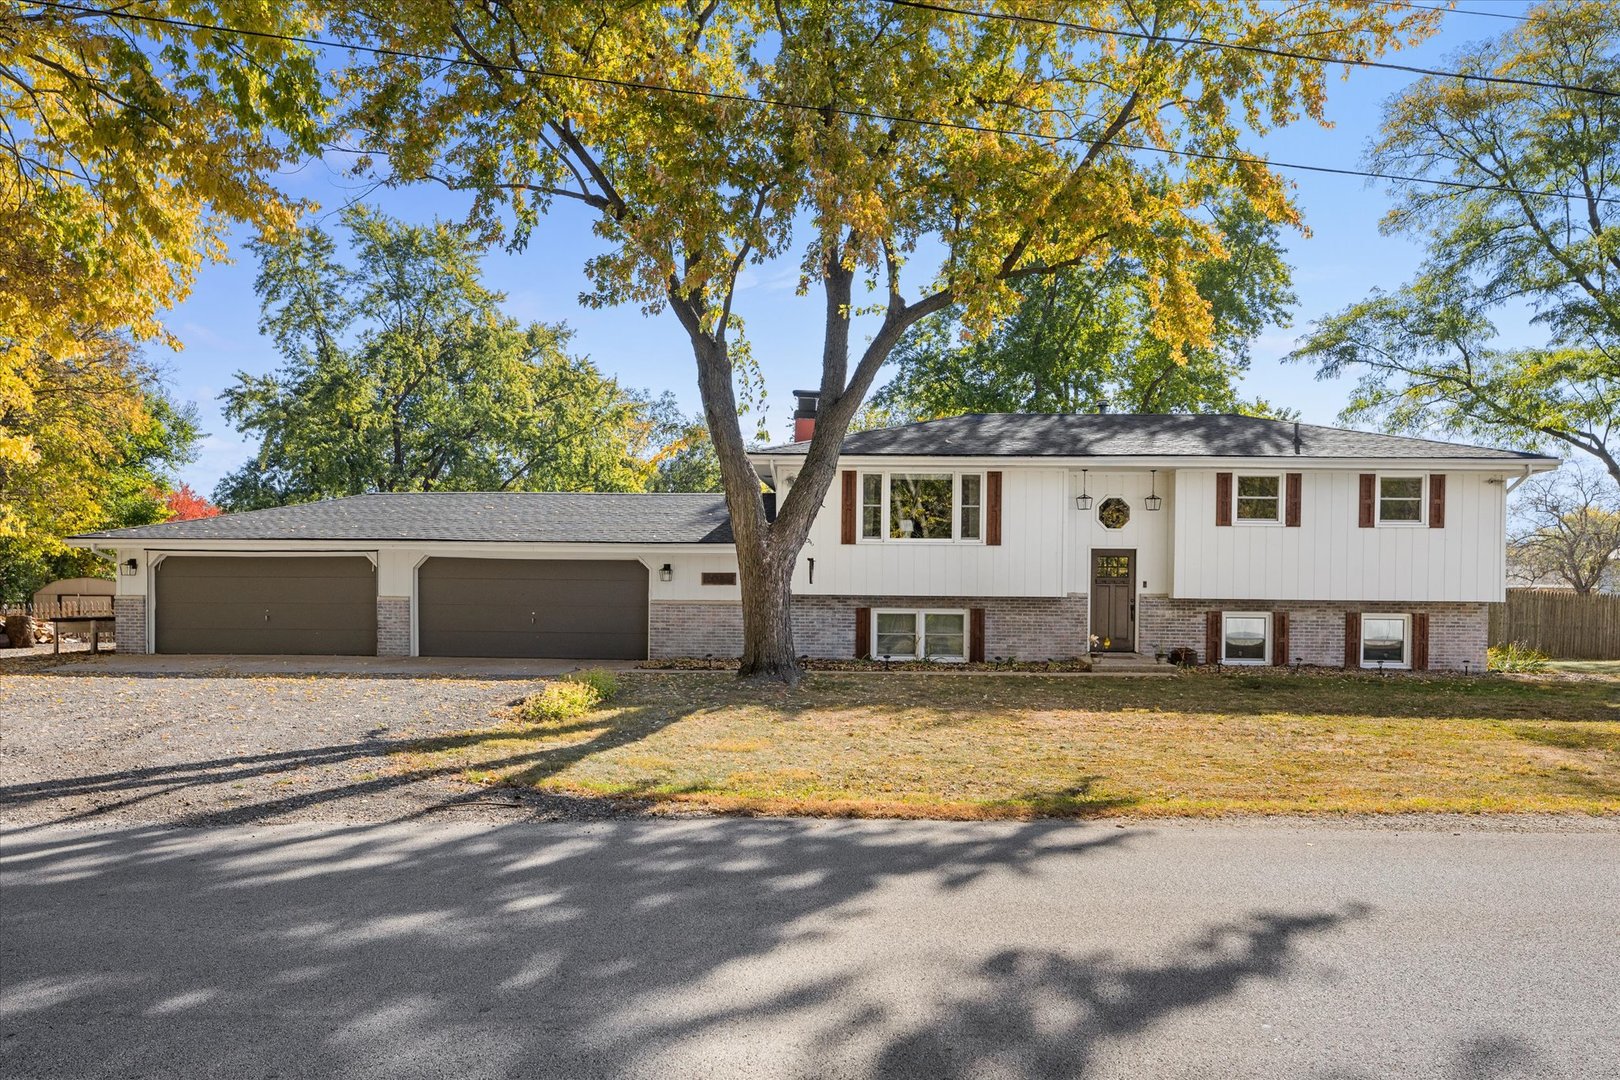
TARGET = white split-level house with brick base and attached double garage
(1251,542)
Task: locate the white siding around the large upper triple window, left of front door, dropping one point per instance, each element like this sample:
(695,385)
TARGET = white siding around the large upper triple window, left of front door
(1028,563)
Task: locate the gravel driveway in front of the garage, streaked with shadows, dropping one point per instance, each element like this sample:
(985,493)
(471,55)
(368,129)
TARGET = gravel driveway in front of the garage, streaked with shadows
(242,750)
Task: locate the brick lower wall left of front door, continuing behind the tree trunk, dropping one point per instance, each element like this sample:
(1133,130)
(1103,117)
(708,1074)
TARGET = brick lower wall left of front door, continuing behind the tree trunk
(1023,627)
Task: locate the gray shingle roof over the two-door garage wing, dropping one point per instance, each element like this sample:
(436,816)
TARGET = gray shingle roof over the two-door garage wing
(456,516)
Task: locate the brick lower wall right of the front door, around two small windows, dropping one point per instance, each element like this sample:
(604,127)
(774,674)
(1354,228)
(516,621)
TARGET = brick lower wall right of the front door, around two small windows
(1316,629)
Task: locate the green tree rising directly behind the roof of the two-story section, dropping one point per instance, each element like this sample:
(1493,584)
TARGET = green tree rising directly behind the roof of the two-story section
(1083,341)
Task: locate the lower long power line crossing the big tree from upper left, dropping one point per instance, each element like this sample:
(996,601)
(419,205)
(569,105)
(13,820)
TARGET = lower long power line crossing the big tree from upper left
(793,106)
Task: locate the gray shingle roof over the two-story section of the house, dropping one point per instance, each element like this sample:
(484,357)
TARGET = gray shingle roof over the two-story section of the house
(1162,435)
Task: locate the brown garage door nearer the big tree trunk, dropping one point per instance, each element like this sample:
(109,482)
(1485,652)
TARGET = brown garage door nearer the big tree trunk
(532,608)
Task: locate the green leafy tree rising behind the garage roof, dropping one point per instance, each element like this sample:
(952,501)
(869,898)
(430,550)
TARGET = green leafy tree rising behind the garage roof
(403,375)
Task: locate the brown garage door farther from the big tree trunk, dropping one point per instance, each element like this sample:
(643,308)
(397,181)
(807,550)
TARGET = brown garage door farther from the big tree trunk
(313,605)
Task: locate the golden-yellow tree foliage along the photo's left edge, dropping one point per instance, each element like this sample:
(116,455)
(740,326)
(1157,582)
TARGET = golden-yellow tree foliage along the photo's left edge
(127,148)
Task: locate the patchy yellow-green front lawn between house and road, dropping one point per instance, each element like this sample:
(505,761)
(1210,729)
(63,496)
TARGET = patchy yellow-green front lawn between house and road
(1015,747)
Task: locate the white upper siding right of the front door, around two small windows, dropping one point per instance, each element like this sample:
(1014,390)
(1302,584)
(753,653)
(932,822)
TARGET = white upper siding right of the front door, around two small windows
(1329,558)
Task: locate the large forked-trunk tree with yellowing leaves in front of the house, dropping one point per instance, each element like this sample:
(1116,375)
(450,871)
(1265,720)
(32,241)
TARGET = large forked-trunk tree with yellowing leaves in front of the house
(908,158)
